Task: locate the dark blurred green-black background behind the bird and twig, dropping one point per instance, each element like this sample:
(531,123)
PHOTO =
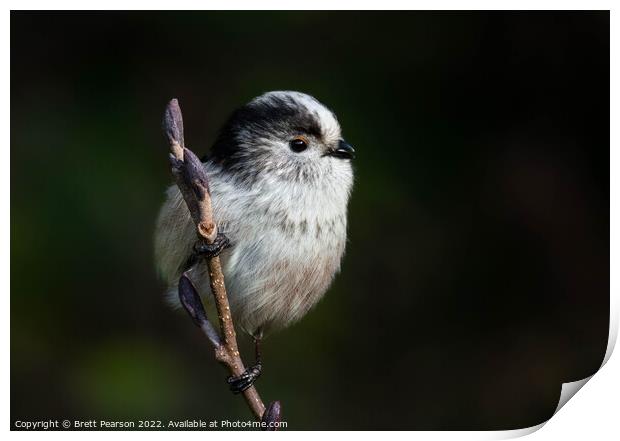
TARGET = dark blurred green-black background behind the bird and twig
(476,279)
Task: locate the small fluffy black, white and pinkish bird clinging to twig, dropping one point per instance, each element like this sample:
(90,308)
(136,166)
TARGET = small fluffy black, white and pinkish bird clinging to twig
(280,176)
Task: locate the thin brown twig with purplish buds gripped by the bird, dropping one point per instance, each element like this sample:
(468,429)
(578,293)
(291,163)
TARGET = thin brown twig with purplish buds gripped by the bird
(191,178)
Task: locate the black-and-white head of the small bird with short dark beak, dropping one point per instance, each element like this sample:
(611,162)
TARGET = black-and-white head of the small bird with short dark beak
(288,136)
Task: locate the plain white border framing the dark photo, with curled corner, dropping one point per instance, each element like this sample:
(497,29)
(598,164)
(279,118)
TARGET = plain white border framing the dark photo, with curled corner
(593,414)
